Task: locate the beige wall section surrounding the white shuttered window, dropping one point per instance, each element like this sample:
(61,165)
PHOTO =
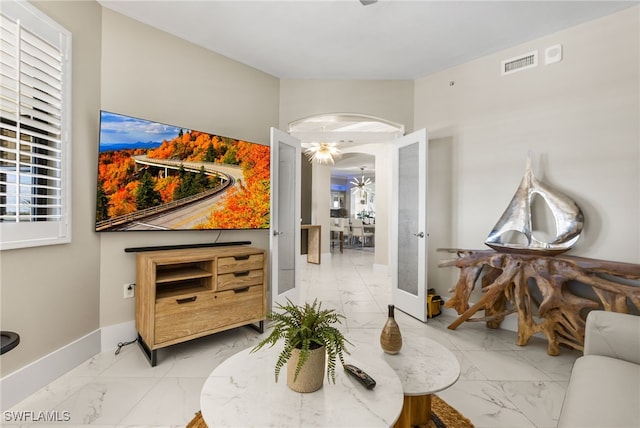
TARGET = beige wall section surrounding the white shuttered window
(51,295)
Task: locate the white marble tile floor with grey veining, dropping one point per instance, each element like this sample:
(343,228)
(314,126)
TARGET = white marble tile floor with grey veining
(501,384)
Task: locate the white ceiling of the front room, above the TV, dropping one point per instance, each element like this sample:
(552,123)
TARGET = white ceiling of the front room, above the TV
(342,39)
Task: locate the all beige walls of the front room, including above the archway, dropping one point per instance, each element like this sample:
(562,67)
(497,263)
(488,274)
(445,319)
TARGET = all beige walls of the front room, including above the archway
(580,117)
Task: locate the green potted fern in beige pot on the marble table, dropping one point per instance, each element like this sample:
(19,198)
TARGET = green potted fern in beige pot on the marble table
(311,339)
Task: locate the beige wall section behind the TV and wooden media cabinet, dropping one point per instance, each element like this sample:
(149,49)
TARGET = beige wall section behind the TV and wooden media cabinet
(150,74)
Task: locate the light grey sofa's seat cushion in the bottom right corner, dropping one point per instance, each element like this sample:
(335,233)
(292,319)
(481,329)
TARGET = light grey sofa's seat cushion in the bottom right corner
(603,392)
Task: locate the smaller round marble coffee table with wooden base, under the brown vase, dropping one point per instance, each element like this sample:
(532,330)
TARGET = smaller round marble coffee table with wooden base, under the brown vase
(423,365)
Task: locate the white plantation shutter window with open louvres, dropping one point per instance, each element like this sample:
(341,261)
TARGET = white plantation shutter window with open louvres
(35,164)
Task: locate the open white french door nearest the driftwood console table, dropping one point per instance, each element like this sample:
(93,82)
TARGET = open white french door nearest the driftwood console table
(409,224)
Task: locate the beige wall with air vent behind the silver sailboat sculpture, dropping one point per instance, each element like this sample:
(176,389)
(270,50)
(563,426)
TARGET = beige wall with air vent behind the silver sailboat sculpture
(580,118)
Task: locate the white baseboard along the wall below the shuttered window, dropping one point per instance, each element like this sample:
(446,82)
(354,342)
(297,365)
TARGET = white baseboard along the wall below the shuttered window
(18,385)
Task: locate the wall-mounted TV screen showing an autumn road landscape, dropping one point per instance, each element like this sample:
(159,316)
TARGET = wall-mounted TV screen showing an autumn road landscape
(153,176)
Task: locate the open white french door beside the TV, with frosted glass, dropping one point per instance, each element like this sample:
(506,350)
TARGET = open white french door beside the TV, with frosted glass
(284,241)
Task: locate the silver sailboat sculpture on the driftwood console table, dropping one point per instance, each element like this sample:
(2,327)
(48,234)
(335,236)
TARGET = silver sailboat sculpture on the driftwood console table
(569,219)
